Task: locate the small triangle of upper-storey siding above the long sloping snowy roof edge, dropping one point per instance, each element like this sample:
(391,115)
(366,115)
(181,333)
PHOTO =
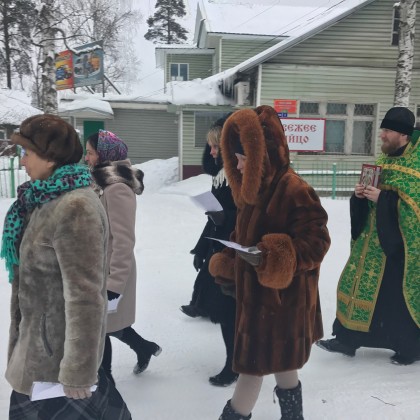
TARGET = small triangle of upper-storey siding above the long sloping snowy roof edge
(237,51)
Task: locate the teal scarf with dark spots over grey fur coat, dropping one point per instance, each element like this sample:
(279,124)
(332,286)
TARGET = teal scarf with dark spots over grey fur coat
(36,193)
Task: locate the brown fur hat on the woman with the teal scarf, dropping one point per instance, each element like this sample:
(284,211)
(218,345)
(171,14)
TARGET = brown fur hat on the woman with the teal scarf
(50,137)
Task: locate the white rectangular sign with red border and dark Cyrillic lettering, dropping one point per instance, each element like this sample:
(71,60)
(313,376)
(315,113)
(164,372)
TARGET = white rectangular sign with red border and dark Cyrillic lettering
(305,134)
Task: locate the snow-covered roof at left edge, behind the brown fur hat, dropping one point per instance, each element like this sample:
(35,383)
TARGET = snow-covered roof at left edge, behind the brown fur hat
(15,107)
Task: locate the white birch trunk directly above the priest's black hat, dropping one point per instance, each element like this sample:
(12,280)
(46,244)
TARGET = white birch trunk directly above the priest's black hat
(407,13)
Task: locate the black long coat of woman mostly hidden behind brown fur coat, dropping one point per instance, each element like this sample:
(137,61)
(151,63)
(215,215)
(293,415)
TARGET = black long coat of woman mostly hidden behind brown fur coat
(208,295)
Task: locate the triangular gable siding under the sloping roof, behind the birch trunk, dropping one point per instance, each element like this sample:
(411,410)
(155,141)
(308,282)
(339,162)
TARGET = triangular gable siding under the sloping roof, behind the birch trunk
(361,40)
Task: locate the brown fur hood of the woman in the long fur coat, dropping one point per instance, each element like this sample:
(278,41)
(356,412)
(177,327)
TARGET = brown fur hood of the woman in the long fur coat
(262,137)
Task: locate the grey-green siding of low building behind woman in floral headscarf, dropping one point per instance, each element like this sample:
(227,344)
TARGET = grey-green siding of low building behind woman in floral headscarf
(149,134)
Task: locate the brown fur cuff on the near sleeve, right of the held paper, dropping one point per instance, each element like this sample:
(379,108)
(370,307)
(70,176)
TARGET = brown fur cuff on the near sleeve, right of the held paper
(279,261)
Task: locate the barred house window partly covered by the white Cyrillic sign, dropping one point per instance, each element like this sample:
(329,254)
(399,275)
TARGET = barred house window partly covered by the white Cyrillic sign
(349,128)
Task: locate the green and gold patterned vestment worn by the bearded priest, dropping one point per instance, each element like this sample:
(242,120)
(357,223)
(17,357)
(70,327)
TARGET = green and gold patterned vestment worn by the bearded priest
(359,284)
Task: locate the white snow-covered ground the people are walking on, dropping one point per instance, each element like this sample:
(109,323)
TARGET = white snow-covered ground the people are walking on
(175,386)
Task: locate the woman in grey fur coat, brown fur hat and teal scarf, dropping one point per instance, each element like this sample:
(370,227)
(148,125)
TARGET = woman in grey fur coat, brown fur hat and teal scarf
(58,278)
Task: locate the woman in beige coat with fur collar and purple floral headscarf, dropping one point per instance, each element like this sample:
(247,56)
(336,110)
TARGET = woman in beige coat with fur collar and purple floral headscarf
(117,184)
